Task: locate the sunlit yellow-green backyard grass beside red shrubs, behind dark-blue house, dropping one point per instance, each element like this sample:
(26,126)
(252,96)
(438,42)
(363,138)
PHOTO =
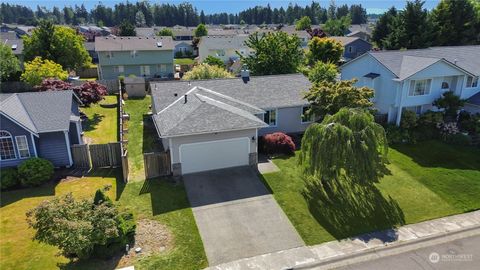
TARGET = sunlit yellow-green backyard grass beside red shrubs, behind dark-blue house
(102,123)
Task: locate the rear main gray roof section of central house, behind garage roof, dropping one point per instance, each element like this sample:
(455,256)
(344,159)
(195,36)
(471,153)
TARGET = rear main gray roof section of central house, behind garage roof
(263,92)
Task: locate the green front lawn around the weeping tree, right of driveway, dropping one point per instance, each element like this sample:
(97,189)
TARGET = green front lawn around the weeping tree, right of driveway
(427,180)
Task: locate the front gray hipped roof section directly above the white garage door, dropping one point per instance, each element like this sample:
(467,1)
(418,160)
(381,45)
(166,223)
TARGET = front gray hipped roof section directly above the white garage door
(202,114)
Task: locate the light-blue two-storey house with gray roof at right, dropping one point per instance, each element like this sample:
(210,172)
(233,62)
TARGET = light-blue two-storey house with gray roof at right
(413,79)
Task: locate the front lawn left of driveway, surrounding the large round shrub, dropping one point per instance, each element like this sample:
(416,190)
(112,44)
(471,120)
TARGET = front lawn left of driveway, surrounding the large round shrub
(154,199)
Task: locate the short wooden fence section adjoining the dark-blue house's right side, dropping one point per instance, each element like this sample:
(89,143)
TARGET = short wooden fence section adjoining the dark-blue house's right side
(106,155)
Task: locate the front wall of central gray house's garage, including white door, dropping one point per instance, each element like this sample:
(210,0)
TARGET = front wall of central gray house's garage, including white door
(204,152)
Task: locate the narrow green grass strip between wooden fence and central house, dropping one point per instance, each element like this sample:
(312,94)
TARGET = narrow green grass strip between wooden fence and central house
(141,135)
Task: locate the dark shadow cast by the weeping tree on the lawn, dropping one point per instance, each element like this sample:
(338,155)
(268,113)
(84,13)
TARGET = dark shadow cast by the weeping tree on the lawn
(354,210)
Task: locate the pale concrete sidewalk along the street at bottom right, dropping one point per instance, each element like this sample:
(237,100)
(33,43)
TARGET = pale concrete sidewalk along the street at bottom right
(372,245)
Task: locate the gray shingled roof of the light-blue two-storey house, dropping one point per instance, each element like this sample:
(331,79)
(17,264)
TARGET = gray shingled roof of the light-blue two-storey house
(405,62)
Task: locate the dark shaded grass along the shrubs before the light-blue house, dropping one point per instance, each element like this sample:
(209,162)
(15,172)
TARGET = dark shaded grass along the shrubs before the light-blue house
(440,154)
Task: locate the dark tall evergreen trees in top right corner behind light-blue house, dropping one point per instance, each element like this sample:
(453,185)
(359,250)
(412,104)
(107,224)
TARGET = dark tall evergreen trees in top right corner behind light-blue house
(450,23)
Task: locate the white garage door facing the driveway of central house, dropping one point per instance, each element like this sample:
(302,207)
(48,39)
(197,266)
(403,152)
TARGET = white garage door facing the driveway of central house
(212,155)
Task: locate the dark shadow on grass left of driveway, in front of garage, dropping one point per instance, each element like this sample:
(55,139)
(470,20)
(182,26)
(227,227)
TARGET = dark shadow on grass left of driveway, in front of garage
(166,195)
